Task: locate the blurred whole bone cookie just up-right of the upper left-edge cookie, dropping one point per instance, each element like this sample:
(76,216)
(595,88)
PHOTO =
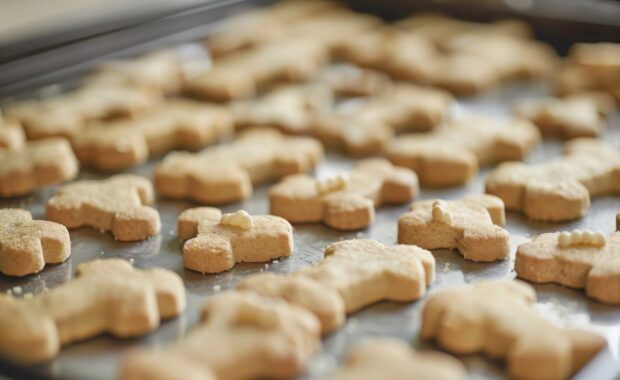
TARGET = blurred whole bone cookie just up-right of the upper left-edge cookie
(175,124)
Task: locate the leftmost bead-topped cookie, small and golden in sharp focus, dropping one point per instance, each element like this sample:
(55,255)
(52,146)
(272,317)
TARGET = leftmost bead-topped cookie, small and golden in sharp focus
(215,242)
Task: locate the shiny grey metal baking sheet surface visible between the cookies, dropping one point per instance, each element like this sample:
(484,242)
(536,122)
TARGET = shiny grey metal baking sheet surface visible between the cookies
(97,358)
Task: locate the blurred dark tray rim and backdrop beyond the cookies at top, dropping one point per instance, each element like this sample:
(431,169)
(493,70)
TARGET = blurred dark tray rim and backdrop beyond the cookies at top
(42,42)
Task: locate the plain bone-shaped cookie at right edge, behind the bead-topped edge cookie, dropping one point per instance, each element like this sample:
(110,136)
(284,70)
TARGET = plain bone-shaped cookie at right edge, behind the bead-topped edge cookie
(561,189)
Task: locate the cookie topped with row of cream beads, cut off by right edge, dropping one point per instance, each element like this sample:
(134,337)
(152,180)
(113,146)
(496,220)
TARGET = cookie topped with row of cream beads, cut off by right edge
(578,259)
